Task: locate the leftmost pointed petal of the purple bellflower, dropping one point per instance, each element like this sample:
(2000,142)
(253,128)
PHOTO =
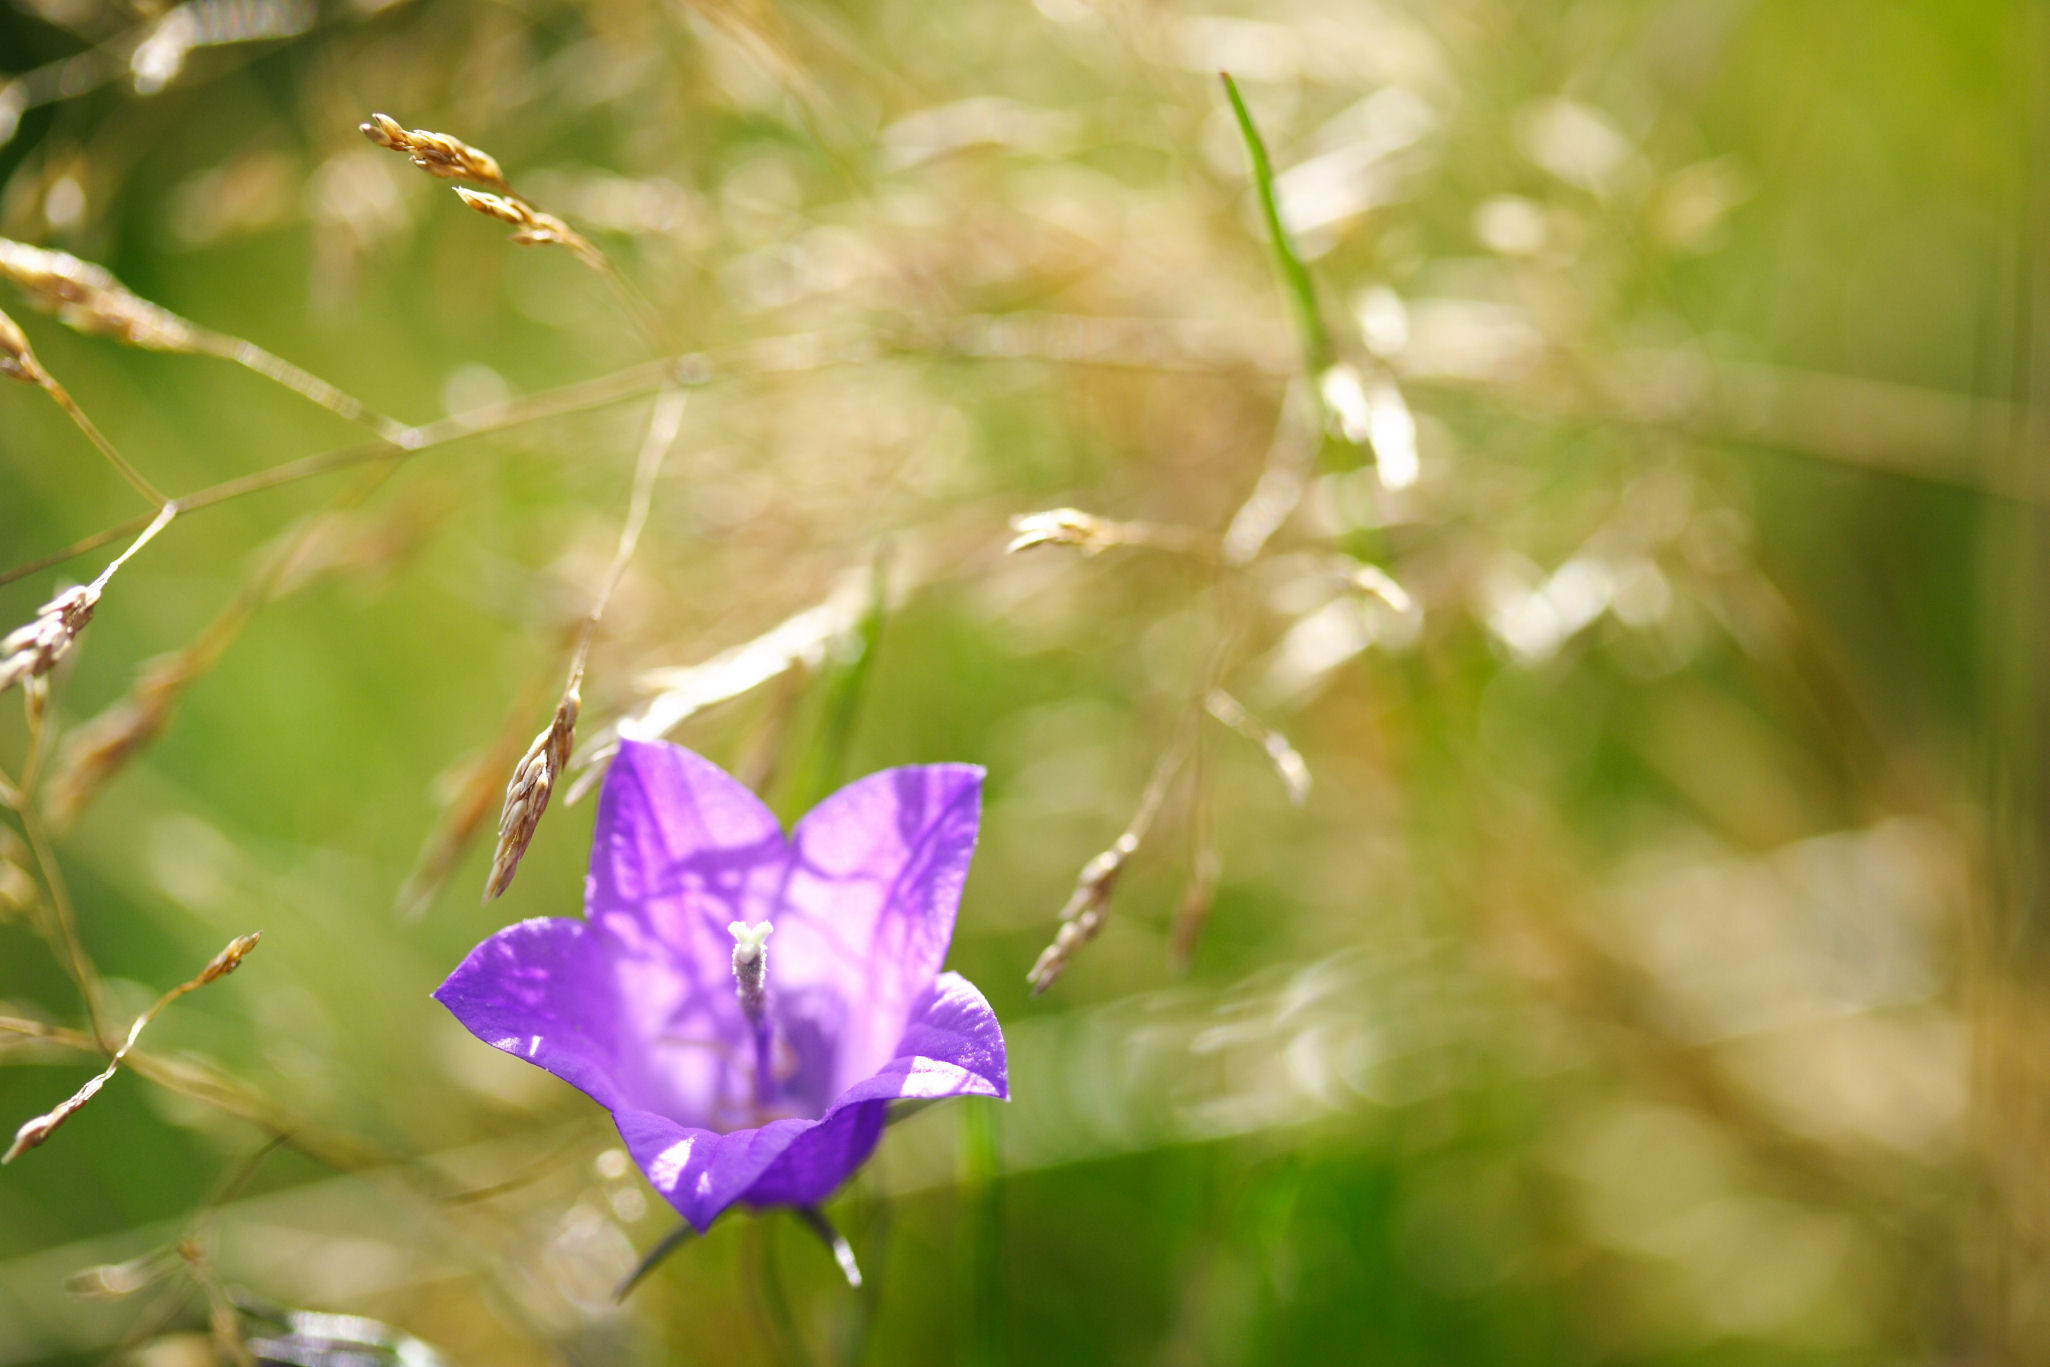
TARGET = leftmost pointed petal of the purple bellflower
(544,991)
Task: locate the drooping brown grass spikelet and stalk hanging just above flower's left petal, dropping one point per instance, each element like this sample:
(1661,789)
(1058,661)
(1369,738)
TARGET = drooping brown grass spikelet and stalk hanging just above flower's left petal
(548,757)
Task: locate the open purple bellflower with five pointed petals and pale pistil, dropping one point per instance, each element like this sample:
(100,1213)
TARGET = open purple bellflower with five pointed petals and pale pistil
(743,1069)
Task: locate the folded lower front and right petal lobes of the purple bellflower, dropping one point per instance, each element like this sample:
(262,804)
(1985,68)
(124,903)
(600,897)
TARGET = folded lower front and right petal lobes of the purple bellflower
(954,1048)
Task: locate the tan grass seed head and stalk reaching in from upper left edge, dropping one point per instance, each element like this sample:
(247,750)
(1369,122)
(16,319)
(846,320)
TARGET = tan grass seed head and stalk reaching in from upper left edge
(91,300)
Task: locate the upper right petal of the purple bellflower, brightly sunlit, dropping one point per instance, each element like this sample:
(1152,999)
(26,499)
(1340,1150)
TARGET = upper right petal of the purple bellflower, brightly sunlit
(874,886)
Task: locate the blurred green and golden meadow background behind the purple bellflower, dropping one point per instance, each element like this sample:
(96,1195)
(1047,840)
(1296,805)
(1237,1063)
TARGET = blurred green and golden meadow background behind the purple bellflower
(1653,970)
